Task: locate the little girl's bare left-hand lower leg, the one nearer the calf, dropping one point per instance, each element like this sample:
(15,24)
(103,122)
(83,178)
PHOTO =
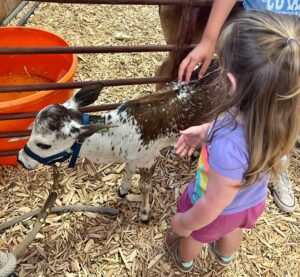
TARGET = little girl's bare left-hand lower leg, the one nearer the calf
(189,248)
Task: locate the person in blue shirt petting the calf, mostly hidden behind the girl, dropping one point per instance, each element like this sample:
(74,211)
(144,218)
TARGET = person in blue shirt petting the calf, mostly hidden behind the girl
(283,193)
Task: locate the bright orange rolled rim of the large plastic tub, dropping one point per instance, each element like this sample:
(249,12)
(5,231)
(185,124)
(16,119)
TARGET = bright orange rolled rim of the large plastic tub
(44,93)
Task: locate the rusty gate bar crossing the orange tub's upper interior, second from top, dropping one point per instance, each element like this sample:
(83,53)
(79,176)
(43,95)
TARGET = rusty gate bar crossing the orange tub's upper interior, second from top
(91,49)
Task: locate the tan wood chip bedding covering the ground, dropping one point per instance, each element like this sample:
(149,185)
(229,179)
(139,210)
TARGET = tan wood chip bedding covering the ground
(96,245)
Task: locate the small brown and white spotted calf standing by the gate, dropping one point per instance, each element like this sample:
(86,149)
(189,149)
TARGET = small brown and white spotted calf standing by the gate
(143,127)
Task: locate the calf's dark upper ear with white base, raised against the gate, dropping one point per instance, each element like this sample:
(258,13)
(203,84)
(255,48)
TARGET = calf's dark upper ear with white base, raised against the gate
(84,97)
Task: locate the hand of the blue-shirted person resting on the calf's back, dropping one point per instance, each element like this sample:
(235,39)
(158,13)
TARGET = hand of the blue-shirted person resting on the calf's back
(202,53)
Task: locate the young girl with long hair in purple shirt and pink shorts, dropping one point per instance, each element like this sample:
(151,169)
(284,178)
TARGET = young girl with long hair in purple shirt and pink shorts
(259,56)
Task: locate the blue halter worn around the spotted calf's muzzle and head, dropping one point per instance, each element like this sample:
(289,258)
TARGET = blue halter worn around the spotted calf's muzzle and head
(63,156)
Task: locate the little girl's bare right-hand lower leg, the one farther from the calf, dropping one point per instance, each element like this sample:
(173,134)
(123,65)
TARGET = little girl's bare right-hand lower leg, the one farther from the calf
(231,242)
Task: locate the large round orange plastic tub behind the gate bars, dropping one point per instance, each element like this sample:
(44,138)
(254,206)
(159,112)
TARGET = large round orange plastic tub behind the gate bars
(30,69)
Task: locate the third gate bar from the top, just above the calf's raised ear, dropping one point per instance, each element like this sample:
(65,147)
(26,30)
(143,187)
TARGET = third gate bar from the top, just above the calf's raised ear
(111,83)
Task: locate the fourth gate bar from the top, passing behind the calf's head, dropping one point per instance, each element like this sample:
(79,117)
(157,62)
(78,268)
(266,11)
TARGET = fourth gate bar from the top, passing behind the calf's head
(89,109)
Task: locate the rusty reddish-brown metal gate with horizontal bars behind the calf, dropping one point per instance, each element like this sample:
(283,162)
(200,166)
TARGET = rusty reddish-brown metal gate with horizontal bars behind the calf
(190,9)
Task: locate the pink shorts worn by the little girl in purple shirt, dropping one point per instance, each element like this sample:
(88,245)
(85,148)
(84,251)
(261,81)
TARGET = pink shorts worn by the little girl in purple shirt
(223,224)
